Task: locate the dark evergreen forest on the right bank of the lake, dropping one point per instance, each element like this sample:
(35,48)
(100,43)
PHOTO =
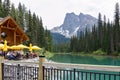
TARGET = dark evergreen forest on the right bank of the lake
(104,37)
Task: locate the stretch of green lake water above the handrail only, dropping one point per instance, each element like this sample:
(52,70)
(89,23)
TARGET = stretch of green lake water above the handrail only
(77,59)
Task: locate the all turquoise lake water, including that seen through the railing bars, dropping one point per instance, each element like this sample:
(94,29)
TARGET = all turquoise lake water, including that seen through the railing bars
(95,60)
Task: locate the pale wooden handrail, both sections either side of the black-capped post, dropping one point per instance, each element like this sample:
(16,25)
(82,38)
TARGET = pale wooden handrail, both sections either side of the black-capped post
(67,65)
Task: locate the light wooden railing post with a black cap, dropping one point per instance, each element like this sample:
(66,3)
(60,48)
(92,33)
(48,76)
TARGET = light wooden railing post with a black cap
(41,60)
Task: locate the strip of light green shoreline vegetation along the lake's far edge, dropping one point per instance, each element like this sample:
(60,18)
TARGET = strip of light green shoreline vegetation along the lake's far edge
(96,54)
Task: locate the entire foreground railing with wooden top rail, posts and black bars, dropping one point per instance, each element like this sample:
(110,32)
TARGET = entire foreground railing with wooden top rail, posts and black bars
(65,71)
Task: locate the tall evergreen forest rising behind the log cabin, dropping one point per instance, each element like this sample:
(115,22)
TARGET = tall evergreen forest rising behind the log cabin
(29,22)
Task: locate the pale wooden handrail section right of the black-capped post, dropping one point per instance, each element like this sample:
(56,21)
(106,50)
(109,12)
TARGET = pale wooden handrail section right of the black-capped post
(84,66)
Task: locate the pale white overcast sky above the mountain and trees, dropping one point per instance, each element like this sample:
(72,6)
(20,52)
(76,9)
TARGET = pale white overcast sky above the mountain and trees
(53,11)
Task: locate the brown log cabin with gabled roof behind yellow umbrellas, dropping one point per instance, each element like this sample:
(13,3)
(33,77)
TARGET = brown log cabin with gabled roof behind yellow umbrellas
(10,31)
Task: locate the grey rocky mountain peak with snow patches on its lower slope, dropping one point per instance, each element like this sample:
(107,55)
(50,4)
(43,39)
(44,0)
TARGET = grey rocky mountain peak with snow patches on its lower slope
(73,24)
